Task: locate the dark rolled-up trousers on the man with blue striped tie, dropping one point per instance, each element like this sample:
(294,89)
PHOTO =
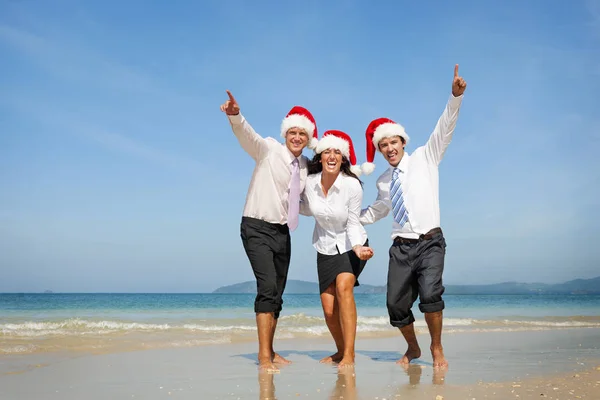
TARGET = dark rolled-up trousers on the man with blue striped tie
(415,269)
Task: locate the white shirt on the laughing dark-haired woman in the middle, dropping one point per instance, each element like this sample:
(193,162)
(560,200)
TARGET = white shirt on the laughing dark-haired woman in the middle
(336,215)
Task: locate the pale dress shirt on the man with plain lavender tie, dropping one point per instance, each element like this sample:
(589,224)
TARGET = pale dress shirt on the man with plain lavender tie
(267,197)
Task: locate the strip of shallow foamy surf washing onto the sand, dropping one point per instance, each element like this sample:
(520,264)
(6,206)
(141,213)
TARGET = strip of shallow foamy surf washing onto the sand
(101,336)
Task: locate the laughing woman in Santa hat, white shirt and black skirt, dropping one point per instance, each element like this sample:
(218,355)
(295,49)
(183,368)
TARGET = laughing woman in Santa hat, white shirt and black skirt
(333,196)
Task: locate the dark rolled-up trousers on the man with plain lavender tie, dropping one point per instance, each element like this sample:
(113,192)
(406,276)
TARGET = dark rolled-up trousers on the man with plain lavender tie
(268,247)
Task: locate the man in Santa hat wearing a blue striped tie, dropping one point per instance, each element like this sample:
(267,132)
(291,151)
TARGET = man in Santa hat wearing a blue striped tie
(410,189)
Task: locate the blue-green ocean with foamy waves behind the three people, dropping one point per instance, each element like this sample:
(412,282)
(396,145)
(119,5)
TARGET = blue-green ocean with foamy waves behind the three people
(33,323)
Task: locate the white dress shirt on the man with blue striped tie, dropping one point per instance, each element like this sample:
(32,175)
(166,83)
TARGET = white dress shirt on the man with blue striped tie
(420,181)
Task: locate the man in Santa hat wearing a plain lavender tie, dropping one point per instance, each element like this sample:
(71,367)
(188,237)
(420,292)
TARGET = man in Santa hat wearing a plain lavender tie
(271,212)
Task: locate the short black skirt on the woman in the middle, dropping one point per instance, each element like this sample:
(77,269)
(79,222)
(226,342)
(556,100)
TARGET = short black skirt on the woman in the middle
(330,266)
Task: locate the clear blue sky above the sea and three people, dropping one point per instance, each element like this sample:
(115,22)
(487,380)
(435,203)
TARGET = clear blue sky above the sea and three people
(119,173)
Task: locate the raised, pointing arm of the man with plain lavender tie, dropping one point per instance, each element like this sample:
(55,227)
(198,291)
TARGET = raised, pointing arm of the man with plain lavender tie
(255,145)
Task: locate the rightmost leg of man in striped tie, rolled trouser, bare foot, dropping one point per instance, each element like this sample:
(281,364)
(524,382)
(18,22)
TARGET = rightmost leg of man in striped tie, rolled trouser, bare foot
(429,271)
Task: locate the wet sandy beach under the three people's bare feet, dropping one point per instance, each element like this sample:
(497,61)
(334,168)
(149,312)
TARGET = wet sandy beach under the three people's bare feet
(562,363)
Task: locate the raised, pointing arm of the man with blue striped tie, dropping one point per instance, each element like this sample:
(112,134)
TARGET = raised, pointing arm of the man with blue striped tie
(442,133)
